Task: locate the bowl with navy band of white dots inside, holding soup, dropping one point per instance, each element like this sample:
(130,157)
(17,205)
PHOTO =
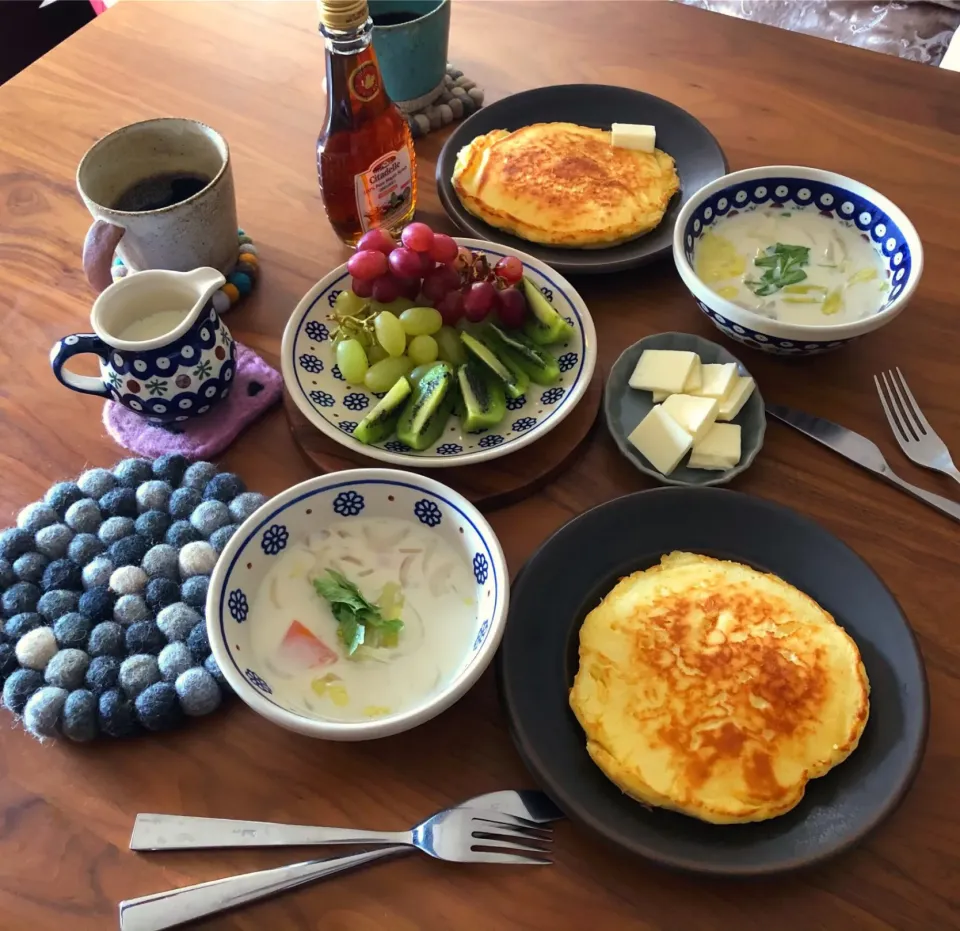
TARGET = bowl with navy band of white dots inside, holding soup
(846,201)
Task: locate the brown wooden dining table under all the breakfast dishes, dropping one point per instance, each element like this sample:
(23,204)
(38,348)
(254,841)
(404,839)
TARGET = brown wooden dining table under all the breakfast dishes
(254,71)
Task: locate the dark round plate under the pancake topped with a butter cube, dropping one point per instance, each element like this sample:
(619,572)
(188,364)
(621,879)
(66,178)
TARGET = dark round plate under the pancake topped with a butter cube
(697,154)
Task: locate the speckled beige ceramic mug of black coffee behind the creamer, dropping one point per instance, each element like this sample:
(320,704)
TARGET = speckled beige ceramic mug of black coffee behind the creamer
(197,231)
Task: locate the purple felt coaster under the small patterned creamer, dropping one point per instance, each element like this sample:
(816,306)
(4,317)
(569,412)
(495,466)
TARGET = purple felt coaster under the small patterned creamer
(256,387)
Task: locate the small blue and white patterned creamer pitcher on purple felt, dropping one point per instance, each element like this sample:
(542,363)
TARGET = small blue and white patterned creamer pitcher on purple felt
(180,372)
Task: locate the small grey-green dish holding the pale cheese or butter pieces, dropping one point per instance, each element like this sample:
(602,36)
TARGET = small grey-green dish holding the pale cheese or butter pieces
(624,407)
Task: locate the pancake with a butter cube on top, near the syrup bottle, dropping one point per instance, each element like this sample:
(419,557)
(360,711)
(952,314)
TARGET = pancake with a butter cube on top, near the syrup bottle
(560,184)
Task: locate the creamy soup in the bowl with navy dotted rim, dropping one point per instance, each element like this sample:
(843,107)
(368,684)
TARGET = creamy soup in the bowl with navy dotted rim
(796,266)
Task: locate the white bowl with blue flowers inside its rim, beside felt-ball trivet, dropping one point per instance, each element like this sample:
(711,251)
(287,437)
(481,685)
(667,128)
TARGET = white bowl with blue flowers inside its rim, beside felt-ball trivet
(311,506)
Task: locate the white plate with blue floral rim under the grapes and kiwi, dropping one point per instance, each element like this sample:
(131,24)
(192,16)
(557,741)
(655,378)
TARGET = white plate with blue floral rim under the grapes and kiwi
(314,381)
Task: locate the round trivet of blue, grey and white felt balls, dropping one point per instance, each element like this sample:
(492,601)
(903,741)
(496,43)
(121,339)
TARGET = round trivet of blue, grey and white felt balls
(103,586)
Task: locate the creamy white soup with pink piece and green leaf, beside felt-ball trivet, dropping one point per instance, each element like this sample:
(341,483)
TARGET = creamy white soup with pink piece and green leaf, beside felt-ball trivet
(422,596)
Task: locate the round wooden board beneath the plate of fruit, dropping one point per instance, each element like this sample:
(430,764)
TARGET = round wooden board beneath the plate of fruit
(489,485)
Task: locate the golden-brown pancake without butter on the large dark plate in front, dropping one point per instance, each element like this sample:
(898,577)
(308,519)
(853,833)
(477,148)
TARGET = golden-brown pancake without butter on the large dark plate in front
(715,690)
